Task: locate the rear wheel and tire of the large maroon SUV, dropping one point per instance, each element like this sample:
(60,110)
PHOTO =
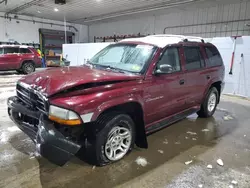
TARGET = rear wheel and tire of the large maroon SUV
(210,103)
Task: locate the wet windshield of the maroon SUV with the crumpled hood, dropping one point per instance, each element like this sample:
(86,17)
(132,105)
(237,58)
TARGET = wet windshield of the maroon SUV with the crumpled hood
(126,57)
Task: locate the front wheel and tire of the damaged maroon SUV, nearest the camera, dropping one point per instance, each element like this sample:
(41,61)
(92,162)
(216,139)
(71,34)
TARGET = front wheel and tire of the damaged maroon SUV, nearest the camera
(115,140)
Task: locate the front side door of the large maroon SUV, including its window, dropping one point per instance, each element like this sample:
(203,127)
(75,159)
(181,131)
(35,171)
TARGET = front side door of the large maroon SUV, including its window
(166,94)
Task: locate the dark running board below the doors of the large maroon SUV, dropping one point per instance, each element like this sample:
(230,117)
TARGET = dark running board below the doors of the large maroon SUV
(170,120)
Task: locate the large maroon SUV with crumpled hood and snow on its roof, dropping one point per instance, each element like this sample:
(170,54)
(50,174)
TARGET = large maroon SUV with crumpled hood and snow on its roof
(127,90)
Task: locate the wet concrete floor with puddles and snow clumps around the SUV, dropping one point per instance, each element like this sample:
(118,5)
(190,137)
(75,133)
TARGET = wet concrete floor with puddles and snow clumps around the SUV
(177,156)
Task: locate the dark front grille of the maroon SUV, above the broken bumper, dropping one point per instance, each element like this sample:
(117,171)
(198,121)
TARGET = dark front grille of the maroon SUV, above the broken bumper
(31,98)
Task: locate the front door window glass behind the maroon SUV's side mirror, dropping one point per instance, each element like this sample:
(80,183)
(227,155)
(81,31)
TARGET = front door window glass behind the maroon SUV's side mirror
(171,57)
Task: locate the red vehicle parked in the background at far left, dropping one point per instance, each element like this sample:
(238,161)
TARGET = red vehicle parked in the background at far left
(23,59)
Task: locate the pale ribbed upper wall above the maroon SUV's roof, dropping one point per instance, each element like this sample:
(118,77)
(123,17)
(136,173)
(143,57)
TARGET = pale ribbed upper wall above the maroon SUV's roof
(209,20)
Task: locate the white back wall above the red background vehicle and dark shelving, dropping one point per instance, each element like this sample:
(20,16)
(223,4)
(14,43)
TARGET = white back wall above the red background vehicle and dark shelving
(27,32)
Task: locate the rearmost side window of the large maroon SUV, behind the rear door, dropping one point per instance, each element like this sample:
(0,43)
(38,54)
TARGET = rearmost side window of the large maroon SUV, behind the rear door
(214,58)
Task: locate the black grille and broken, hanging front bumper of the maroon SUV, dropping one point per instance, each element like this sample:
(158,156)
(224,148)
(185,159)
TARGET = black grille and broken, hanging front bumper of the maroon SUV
(29,111)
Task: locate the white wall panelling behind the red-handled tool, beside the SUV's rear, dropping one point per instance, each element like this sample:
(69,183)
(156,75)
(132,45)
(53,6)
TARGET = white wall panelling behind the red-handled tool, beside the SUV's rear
(239,82)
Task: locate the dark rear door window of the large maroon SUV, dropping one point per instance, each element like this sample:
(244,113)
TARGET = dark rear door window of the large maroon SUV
(194,59)
